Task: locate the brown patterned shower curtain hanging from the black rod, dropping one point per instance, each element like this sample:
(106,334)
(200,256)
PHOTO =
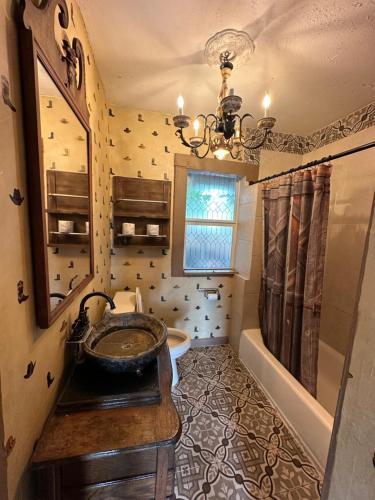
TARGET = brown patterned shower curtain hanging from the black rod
(295,217)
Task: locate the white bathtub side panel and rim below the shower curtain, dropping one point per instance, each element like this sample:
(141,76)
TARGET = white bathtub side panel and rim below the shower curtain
(310,421)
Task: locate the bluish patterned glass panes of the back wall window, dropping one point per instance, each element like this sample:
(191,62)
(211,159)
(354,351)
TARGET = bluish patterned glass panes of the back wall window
(210,221)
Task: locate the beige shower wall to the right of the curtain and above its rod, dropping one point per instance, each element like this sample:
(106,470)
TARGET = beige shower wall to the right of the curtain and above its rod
(352,190)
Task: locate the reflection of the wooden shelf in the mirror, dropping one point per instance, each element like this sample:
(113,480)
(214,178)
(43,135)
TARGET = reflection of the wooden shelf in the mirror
(67,195)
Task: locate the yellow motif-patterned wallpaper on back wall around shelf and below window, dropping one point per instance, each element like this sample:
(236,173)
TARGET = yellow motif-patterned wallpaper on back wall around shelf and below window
(144,143)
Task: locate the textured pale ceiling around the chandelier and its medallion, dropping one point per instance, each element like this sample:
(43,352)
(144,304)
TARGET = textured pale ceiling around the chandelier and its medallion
(315,57)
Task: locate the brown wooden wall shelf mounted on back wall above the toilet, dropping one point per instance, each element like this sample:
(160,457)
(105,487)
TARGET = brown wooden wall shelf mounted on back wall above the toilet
(141,202)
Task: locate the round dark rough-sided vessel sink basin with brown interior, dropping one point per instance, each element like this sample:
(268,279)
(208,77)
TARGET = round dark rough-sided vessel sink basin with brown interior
(125,342)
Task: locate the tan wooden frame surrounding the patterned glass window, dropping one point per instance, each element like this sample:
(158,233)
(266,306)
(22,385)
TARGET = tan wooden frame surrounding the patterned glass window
(184,163)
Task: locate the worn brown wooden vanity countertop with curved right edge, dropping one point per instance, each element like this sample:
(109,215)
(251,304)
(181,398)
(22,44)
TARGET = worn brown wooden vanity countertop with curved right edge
(97,431)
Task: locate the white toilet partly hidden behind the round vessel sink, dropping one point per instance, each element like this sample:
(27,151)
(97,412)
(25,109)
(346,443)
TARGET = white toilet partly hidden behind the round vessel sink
(179,341)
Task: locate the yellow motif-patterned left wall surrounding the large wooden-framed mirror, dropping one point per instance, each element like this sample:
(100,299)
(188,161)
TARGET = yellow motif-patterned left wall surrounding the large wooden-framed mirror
(26,402)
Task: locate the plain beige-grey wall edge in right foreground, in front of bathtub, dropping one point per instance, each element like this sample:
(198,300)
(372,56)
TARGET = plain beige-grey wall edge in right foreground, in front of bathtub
(353,469)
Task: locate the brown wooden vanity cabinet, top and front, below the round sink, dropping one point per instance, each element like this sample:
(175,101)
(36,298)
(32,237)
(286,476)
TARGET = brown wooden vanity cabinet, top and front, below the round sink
(120,453)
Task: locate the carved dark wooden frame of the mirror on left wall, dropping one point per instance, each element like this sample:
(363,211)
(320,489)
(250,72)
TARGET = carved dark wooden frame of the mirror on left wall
(37,42)
